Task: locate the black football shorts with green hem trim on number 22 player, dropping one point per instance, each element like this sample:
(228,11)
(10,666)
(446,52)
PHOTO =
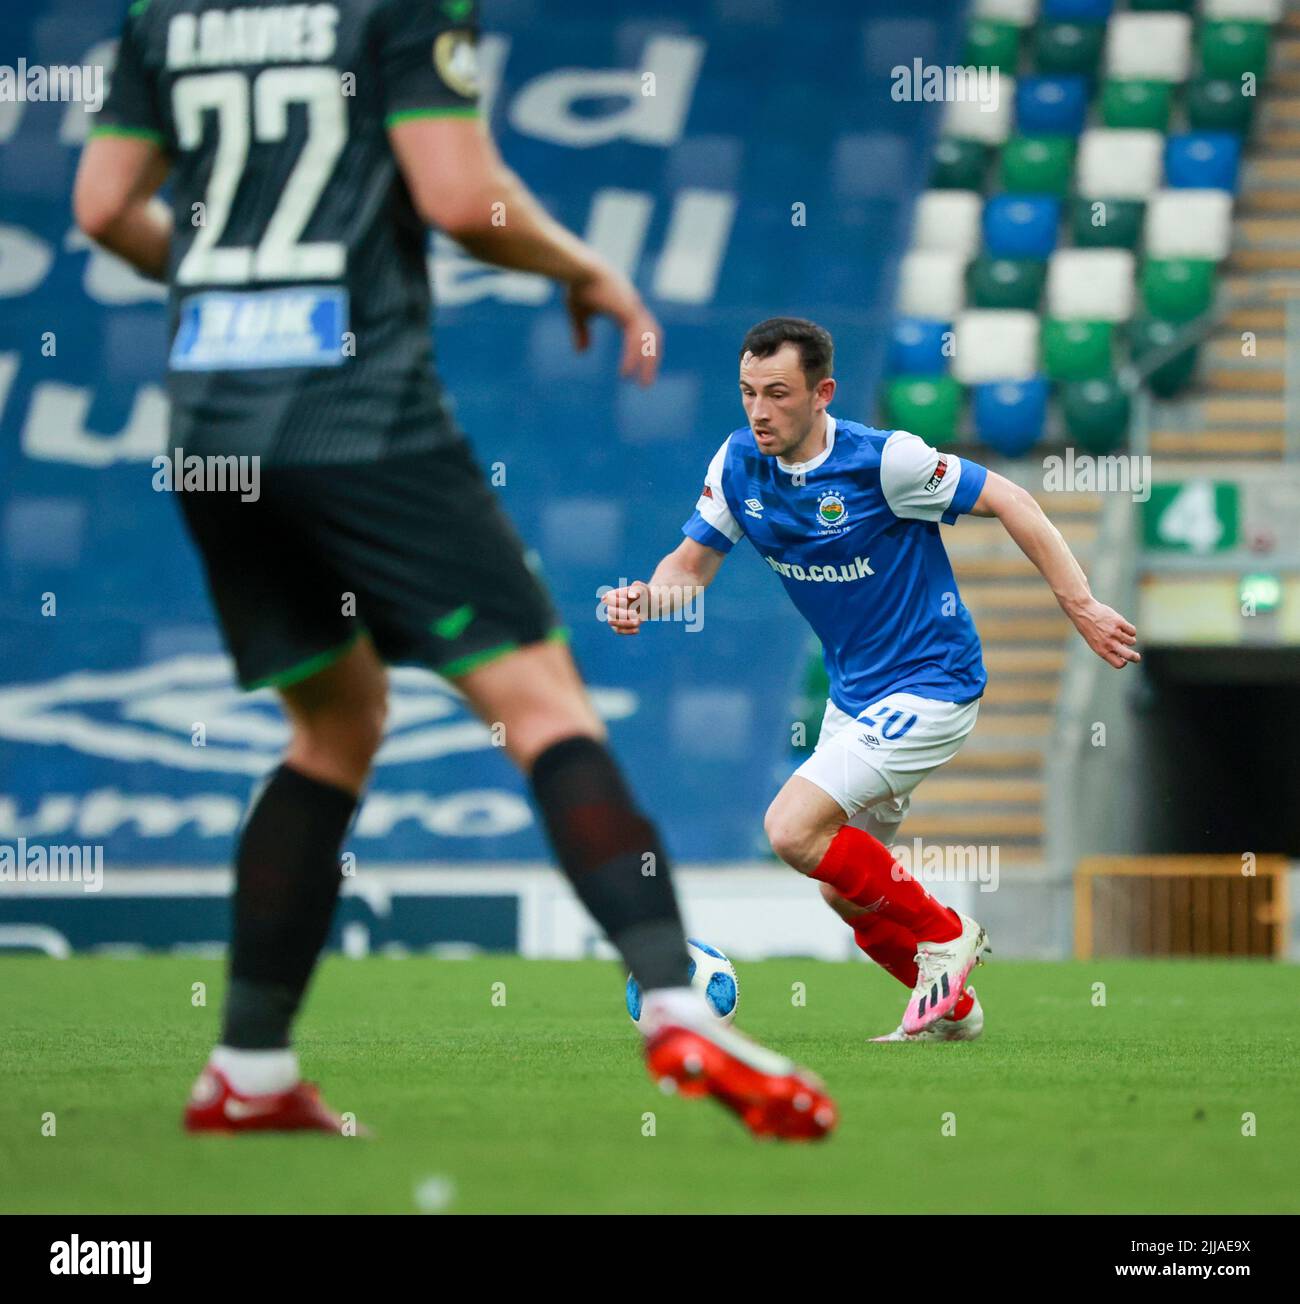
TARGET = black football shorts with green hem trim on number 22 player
(414,551)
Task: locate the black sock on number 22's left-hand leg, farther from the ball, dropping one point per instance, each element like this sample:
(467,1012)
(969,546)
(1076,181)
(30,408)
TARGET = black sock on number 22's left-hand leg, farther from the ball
(286,885)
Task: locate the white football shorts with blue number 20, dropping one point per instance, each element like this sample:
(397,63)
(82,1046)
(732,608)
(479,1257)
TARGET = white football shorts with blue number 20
(870,765)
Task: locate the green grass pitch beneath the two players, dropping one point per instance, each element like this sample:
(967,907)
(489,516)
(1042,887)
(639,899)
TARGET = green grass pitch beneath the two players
(539,1104)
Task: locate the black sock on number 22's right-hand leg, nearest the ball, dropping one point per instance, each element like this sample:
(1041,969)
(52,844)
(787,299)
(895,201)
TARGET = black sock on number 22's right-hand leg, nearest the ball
(612,856)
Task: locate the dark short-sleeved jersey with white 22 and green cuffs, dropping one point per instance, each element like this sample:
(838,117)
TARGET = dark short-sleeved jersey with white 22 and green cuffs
(301,304)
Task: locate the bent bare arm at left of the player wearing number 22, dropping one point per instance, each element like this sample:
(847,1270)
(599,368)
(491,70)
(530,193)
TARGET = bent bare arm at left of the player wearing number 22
(114,201)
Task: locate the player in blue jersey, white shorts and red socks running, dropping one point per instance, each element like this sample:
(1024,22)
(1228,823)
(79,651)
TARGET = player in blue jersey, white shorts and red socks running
(848,517)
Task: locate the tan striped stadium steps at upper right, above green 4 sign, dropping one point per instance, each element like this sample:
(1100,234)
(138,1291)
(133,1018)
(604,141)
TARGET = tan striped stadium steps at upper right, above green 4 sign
(1239,409)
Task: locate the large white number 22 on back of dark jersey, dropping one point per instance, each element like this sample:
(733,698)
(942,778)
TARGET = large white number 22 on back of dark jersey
(280,255)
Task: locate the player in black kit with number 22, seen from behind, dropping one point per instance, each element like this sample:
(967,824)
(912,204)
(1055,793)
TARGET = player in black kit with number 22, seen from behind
(308,149)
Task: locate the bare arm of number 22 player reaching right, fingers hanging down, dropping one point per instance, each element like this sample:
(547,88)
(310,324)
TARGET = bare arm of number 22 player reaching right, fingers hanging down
(461,185)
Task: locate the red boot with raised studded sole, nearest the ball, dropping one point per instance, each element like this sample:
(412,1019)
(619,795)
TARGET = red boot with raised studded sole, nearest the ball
(769,1093)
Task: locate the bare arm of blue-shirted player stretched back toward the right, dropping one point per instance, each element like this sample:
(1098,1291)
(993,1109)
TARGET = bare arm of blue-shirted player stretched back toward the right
(1108,633)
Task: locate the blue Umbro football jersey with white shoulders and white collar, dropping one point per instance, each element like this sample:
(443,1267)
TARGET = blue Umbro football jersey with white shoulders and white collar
(853,534)
